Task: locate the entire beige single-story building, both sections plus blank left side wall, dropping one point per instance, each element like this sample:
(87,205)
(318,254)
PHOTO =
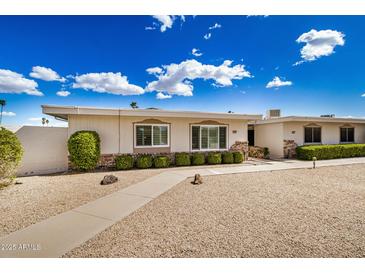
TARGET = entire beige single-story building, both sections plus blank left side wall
(158,131)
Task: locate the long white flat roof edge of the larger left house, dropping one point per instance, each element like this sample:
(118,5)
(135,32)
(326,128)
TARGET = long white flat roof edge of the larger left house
(62,112)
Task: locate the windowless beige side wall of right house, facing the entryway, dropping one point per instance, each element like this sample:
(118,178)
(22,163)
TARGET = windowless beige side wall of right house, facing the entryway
(270,136)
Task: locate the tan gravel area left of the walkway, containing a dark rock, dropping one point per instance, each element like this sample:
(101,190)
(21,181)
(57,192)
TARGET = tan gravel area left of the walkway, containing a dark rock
(40,197)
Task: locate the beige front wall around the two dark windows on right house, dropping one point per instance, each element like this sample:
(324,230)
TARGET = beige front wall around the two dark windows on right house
(330,132)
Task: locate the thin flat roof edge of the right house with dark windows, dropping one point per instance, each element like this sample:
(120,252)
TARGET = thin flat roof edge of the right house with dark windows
(311,119)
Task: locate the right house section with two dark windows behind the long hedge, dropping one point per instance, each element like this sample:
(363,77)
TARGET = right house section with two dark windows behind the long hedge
(282,134)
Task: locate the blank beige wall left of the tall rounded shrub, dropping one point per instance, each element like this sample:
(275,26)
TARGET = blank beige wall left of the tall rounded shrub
(45,150)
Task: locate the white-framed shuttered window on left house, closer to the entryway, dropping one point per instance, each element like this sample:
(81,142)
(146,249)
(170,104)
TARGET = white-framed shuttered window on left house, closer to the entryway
(208,137)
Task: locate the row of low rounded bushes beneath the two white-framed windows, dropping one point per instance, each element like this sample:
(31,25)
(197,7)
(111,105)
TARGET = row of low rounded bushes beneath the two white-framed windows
(128,161)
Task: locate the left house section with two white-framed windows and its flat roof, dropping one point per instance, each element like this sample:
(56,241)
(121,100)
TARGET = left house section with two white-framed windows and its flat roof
(156,131)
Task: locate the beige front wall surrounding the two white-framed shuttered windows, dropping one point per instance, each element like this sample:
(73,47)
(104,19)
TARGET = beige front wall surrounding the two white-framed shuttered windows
(108,128)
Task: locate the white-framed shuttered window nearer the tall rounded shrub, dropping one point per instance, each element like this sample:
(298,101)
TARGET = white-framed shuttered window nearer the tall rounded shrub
(152,135)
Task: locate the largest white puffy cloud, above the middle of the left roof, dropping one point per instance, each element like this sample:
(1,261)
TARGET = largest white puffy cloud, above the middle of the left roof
(176,79)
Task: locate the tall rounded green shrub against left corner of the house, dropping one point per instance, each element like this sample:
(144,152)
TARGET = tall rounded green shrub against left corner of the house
(84,149)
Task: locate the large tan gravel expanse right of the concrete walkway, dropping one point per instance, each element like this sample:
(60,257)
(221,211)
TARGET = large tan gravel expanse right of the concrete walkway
(293,213)
